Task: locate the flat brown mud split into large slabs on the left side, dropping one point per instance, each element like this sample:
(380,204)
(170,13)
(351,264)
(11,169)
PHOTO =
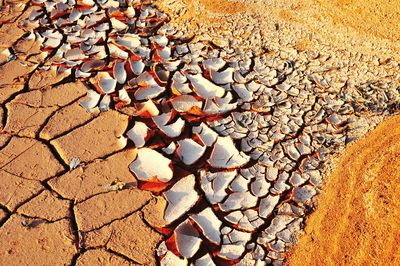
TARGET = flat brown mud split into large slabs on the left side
(50,215)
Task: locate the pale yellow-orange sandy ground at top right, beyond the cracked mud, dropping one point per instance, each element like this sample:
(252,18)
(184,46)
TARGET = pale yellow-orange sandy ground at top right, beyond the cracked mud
(366,26)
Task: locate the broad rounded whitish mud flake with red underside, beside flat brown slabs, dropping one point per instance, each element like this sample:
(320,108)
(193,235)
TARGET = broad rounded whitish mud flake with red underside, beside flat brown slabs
(143,166)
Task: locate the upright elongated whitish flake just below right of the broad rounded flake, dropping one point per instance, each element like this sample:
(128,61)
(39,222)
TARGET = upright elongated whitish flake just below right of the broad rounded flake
(181,197)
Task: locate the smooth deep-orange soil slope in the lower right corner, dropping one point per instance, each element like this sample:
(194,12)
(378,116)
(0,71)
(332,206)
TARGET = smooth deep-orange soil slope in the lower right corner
(358,213)
